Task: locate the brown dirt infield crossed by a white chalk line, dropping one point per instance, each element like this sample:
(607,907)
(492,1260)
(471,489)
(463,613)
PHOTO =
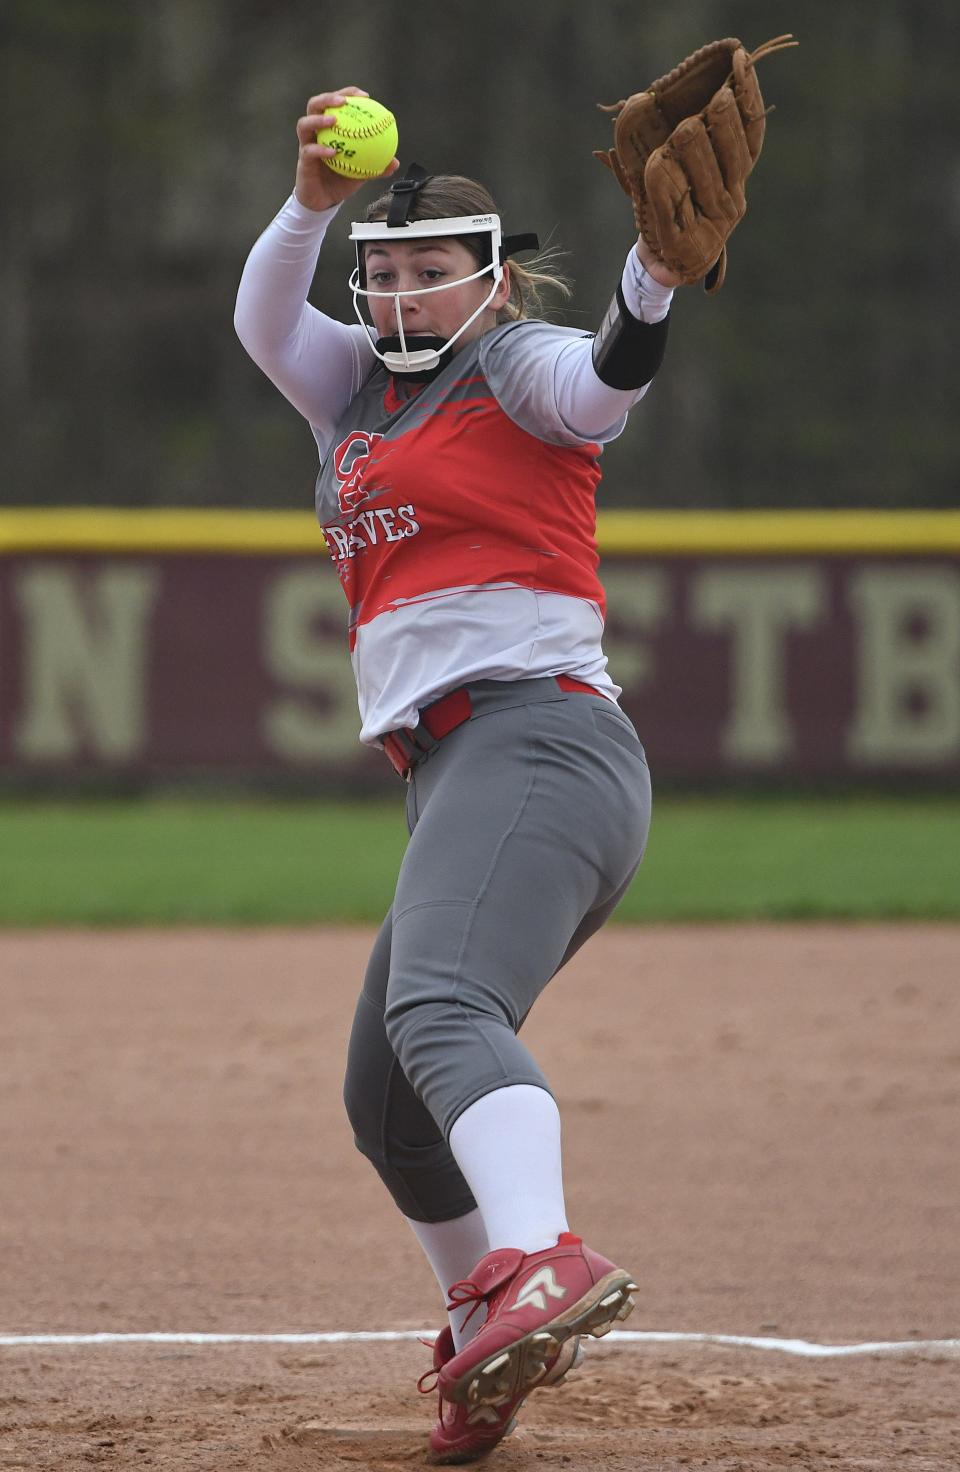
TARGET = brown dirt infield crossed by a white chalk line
(760,1122)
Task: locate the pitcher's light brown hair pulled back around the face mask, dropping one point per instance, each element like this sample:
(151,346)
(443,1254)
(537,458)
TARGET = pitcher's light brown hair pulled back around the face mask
(445,197)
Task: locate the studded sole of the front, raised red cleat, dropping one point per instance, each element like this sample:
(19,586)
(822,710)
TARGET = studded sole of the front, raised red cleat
(531,1362)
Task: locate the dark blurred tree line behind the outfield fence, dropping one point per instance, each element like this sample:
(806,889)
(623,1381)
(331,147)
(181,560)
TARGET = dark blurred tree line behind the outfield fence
(147,144)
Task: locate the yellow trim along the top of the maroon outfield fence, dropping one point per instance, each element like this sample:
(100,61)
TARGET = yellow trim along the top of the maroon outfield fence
(652,534)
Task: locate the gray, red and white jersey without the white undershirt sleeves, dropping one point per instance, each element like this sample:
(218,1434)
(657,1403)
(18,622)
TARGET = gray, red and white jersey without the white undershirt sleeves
(462,522)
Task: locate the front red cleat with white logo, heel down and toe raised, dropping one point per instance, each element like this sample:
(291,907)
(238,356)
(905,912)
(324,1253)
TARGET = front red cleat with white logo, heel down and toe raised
(538,1303)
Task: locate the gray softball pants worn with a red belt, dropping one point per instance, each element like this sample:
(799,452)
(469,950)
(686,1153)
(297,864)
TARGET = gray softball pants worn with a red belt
(528,825)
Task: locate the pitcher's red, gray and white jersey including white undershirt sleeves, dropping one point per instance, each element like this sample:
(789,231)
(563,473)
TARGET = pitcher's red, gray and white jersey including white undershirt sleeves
(462,519)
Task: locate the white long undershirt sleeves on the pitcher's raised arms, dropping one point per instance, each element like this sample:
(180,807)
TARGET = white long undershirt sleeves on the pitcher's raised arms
(319,364)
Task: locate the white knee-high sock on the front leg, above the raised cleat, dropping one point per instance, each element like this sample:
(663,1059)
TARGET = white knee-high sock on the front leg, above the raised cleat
(507,1146)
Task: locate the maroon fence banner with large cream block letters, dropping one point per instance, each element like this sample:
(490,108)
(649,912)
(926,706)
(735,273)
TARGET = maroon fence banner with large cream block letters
(843,668)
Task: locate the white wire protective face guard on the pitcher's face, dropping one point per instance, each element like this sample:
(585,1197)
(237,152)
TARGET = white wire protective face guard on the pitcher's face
(423,360)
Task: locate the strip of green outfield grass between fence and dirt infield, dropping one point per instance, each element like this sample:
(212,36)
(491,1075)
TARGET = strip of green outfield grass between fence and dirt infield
(169,862)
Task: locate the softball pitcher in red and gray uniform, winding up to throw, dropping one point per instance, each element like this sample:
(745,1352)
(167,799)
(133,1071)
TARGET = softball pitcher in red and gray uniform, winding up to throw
(460,442)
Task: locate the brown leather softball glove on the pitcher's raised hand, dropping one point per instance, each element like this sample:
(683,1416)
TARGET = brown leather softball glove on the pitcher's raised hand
(684,149)
